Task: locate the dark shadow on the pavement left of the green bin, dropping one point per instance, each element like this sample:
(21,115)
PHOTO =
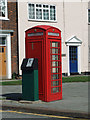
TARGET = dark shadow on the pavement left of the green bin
(13,96)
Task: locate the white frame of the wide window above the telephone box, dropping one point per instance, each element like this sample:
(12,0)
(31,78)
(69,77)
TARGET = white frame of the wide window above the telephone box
(42,12)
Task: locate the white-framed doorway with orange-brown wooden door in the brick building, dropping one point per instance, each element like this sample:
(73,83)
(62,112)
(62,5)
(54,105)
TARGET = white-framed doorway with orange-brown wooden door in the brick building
(5,56)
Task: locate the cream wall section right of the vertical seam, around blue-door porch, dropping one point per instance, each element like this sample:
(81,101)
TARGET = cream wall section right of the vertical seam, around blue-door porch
(76,24)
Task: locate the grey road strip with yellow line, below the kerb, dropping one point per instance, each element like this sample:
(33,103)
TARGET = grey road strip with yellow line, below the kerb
(9,115)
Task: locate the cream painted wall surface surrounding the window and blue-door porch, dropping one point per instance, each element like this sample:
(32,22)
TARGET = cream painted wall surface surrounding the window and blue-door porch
(71,20)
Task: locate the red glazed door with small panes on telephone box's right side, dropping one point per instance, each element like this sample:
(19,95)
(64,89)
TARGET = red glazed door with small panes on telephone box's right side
(55,67)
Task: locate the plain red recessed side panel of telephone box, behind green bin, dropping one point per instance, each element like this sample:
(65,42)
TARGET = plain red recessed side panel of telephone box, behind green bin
(35,51)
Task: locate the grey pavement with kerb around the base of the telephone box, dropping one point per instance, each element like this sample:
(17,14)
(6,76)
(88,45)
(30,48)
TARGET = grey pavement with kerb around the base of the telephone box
(74,103)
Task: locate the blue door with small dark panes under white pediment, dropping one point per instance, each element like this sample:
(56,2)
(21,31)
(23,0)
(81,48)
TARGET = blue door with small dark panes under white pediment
(73,59)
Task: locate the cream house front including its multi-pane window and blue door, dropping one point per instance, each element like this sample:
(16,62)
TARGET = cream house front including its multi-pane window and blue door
(71,18)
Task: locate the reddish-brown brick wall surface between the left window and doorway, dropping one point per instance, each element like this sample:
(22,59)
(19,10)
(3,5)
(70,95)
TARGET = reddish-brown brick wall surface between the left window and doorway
(11,24)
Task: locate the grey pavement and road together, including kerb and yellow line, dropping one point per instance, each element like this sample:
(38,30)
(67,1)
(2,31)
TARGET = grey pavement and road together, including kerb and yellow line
(73,104)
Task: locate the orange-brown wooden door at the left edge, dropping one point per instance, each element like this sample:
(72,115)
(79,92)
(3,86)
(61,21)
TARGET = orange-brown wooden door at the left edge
(2,61)
